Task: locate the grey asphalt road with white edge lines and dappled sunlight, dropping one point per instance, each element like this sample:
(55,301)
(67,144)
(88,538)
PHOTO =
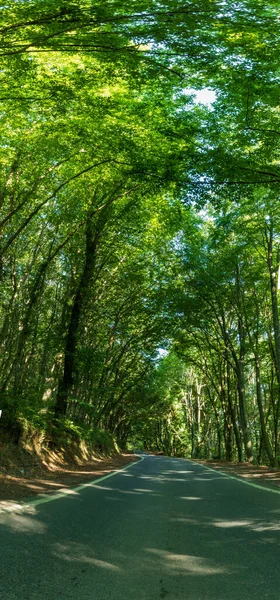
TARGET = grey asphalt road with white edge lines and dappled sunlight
(163,529)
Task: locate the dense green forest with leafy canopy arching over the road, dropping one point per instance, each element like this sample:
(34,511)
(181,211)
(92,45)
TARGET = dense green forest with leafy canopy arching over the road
(140,224)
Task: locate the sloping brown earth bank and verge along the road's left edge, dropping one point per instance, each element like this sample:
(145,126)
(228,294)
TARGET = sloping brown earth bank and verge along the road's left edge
(25,474)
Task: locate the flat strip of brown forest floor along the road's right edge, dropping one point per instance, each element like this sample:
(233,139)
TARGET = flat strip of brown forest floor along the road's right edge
(260,475)
